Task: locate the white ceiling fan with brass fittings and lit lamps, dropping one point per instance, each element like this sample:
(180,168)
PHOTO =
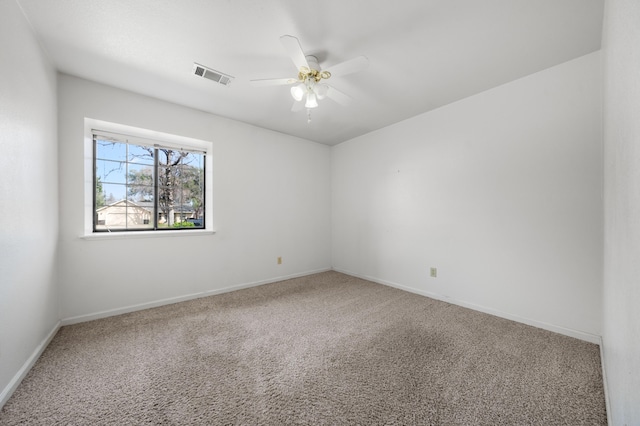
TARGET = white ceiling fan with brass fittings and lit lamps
(309,85)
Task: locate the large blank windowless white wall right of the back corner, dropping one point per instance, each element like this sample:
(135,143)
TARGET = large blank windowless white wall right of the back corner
(500,191)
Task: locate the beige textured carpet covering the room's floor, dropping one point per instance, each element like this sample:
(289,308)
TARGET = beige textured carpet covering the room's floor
(327,349)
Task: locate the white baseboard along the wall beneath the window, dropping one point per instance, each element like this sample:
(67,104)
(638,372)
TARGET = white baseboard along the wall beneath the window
(171,300)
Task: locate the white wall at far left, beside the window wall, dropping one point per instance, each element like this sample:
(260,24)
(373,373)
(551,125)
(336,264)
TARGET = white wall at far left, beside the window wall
(28,198)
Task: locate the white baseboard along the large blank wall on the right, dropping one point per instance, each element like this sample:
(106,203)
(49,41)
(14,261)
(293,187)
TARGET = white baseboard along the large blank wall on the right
(591,338)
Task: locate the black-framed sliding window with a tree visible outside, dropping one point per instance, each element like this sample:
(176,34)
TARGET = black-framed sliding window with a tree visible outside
(142,184)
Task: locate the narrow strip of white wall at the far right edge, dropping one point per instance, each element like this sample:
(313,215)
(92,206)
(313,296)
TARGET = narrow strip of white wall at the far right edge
(621,41)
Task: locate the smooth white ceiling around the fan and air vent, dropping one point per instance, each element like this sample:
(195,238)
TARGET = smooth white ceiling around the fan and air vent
(422,53)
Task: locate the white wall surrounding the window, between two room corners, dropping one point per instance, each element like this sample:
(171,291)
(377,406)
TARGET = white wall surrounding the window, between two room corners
(271,197)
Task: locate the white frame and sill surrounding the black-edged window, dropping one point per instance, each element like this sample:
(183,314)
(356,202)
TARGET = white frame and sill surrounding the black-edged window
(164,138)
